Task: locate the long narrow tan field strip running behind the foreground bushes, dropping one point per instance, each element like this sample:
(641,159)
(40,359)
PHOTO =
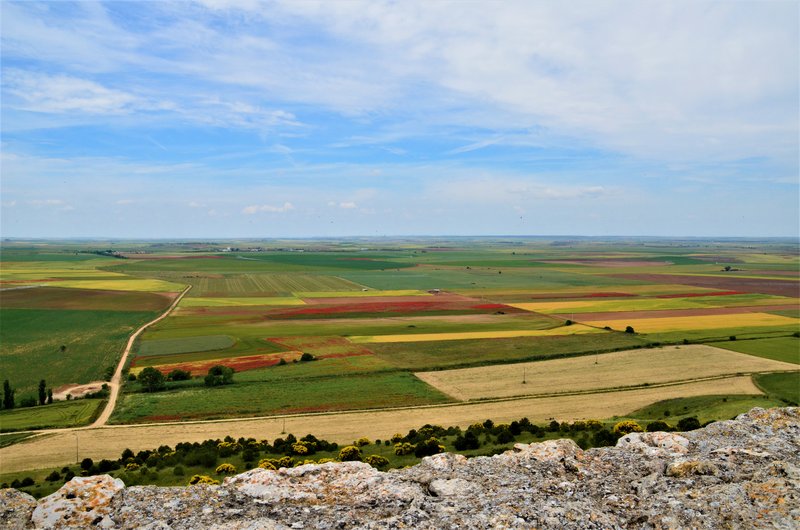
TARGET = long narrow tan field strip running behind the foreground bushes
(58,449)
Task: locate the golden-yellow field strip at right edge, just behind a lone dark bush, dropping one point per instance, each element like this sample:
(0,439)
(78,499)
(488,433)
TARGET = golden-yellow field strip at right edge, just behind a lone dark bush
(648,325)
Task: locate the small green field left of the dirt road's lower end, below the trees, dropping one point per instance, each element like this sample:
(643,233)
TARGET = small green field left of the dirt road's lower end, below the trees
(56,415)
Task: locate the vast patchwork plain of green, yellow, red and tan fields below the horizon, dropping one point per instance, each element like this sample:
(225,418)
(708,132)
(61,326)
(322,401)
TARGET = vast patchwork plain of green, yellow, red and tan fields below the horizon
(449,328)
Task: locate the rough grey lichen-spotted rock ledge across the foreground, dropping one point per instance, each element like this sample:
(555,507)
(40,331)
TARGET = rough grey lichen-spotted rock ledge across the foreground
(743,473)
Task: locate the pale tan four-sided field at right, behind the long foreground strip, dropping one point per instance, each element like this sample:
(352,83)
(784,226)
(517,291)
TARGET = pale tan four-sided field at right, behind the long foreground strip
(613,370)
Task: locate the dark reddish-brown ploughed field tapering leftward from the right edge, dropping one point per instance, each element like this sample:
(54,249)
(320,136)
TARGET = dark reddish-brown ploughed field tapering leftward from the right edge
(786,287)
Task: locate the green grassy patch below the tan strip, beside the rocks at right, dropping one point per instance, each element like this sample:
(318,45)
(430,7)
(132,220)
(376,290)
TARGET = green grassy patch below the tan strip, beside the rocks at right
(704,408)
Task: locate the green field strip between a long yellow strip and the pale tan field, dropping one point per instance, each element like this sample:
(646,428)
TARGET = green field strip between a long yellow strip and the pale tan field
(450,354)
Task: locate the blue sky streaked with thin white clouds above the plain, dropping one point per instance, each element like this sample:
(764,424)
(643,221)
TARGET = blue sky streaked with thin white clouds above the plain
(224,118)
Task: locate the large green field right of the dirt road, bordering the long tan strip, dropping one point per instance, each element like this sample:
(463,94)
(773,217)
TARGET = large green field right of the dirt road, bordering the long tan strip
(280,396)
